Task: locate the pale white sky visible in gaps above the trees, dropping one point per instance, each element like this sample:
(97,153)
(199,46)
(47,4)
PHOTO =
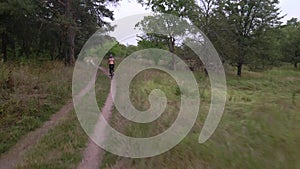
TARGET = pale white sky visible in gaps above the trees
(131,7)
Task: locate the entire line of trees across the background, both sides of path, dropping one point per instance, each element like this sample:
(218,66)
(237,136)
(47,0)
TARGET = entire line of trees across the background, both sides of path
(244,32)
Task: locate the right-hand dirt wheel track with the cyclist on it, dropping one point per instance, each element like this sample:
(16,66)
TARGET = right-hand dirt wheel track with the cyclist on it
(93,154)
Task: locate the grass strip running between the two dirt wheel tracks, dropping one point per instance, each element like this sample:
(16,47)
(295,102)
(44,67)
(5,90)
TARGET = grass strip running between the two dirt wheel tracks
(62,147)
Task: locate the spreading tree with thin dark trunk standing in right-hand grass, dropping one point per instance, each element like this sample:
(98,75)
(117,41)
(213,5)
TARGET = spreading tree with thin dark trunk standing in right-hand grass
(246,19)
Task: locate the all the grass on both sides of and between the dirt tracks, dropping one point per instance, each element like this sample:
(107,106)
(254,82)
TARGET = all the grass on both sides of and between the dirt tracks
(259,129)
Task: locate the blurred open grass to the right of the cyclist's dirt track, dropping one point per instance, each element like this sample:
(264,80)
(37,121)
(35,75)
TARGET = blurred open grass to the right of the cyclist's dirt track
(260,127)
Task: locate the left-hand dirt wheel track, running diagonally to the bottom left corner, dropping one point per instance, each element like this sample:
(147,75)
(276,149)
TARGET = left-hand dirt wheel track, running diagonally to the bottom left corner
(15,155)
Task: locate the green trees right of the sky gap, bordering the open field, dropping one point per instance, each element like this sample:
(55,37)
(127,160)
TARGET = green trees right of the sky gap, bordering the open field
(244,32)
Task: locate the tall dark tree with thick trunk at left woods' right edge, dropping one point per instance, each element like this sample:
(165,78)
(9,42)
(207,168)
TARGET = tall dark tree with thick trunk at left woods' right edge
(77,15)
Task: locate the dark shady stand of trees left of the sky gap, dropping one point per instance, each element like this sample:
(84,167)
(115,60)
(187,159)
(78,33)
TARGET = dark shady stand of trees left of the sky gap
(54,29)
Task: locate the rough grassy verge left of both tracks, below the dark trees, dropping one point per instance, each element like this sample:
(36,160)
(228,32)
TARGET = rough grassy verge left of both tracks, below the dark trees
(29,95)
